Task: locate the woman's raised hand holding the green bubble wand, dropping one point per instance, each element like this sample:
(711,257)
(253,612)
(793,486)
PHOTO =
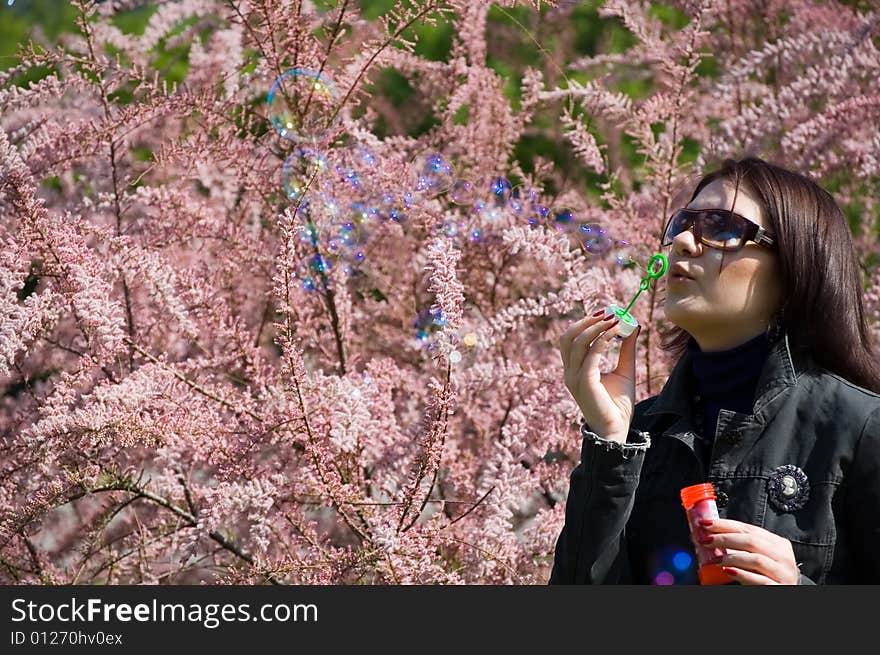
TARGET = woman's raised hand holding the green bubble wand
(606,399)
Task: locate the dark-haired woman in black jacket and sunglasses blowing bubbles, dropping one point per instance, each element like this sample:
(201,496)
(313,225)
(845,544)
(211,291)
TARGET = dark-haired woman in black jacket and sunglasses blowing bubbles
(774,399)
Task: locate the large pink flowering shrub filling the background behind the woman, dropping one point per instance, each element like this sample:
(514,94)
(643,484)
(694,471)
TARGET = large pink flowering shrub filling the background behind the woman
(263,321)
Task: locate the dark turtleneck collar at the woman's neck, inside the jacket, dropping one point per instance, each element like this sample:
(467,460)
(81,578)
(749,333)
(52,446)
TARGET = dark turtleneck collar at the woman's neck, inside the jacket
(727,379)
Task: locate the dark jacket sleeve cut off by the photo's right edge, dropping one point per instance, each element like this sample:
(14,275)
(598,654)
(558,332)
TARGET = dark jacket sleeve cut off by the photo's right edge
(862,502)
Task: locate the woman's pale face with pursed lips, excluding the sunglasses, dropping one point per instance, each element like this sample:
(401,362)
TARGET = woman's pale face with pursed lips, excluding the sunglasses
(723,306)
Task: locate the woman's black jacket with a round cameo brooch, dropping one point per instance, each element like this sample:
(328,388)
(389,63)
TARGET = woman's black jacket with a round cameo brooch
(804,465)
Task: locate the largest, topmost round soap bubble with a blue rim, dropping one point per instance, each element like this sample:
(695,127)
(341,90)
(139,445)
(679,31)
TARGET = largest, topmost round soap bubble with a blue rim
(303,105)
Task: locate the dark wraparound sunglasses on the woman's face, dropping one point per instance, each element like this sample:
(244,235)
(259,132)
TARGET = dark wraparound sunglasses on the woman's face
(716,228)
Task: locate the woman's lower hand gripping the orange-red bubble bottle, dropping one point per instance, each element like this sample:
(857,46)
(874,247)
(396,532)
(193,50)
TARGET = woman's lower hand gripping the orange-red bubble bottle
(755,555)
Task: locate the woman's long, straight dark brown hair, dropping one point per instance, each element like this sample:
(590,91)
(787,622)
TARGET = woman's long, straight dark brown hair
(822,309)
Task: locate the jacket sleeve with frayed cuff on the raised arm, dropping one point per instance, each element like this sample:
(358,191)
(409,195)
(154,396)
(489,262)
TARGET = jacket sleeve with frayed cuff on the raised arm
(591,549)
